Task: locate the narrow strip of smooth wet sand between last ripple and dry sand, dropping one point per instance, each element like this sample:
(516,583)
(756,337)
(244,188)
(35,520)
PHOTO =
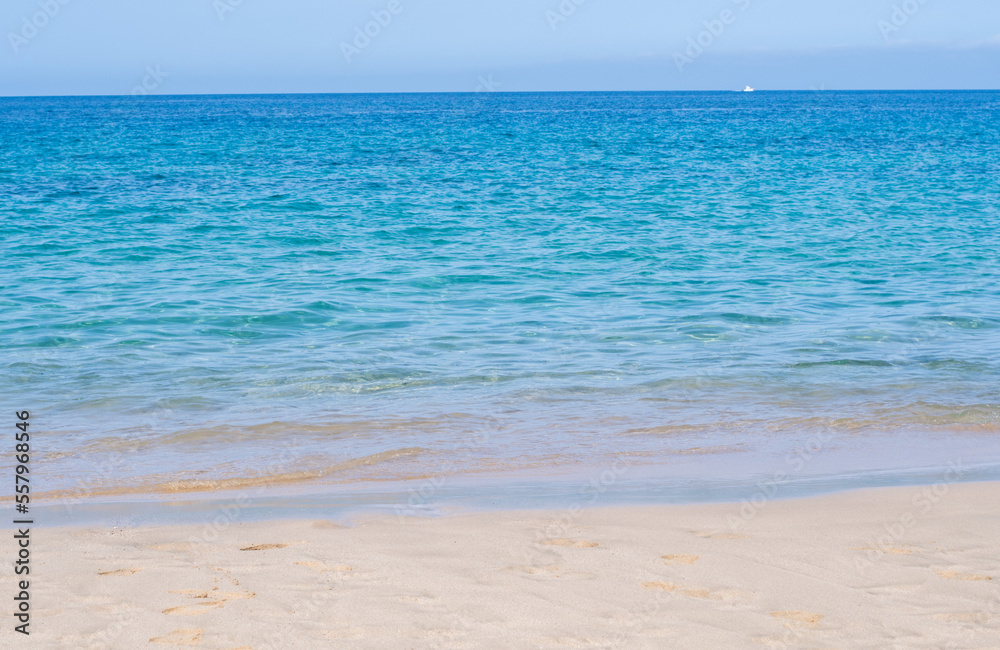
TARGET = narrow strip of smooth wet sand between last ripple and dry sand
(443,495)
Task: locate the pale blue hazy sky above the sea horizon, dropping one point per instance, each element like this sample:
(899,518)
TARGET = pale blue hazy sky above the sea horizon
(121,47)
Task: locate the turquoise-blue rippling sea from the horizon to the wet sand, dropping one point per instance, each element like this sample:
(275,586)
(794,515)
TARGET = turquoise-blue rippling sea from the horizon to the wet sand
(332,292)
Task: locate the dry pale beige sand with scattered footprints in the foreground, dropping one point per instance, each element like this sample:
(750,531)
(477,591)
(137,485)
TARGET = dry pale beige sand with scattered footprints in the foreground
(909,567)
